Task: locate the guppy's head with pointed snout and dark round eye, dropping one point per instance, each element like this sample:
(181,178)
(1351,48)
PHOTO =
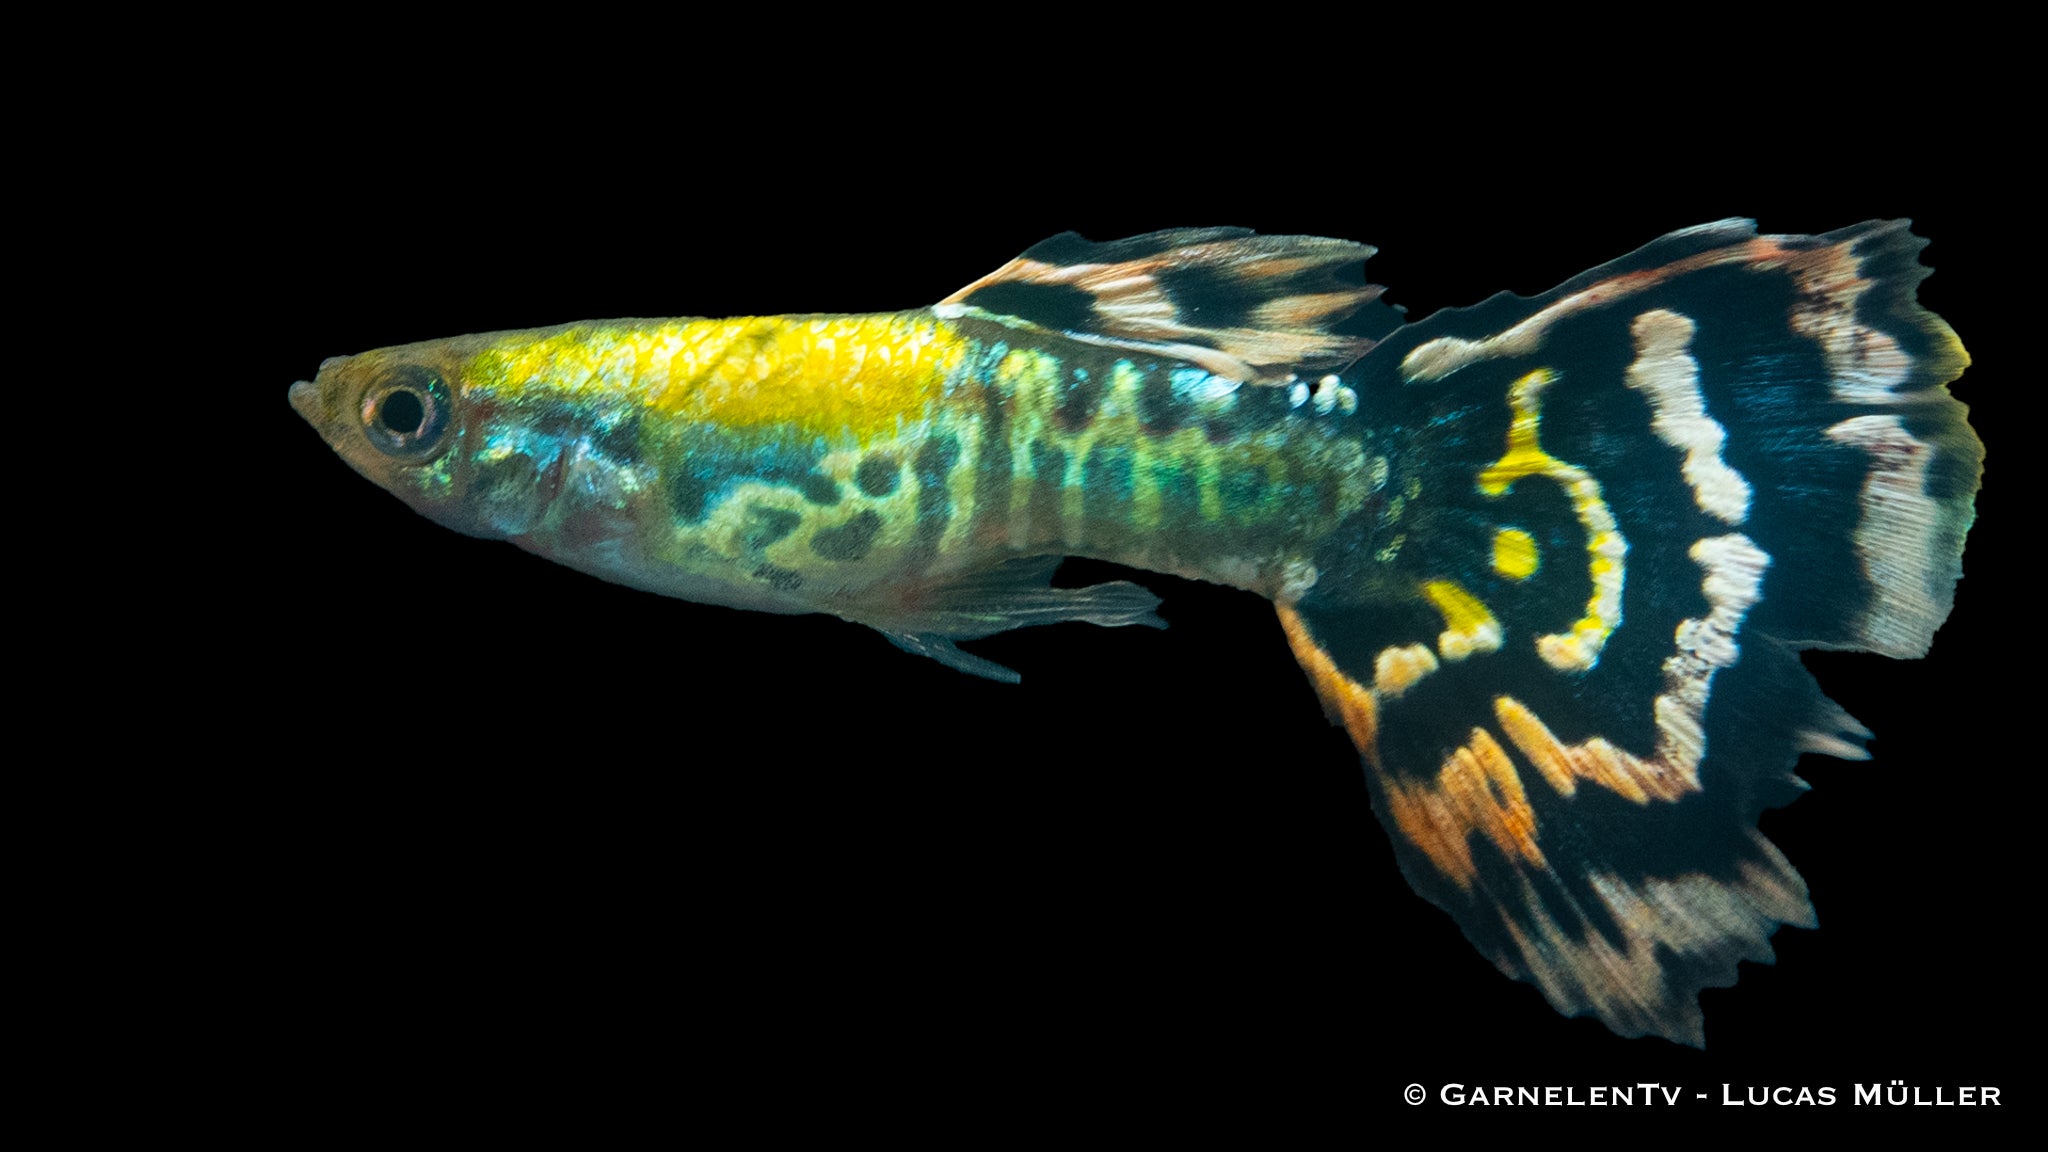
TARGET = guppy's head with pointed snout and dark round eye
(415,423)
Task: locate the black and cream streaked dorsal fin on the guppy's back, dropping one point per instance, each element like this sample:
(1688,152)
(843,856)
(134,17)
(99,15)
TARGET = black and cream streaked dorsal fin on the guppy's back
(1244,306)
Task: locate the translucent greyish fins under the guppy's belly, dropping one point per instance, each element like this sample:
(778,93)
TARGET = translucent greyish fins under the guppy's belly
(1000,600)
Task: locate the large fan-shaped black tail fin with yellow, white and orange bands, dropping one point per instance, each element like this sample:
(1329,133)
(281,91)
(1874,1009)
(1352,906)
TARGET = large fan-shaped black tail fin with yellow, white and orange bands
(1615,513)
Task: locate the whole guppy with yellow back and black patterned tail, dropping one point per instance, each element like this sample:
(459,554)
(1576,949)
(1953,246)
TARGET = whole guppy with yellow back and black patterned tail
(1547,561)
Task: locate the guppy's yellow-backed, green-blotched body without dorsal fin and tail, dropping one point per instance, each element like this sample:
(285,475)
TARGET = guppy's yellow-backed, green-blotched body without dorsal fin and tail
(882,468)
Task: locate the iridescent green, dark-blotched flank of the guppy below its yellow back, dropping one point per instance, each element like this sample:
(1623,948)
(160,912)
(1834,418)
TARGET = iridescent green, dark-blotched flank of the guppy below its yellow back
(1033,452)
